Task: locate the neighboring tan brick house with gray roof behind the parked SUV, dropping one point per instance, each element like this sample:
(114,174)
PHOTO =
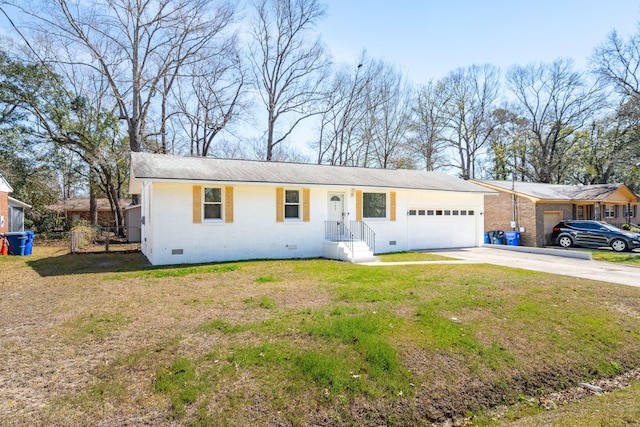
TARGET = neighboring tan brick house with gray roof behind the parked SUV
(534,208)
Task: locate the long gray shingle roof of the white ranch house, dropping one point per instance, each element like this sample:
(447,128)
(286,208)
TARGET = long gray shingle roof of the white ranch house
(147,166)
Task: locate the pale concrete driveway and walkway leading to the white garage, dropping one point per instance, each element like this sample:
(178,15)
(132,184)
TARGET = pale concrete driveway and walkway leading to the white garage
(556,261)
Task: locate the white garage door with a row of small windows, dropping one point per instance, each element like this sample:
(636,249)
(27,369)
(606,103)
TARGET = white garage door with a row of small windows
(437,228)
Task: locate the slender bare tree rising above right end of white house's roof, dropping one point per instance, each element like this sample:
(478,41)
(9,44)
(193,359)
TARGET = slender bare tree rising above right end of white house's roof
(471,93)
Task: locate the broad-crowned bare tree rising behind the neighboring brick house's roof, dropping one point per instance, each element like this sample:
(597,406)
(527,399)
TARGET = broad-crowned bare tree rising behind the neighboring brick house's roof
(555,101)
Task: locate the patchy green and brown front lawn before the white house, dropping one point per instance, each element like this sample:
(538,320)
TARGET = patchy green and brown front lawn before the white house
(108,339)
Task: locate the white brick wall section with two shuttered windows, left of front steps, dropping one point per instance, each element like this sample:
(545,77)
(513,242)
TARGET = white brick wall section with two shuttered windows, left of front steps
(254,232)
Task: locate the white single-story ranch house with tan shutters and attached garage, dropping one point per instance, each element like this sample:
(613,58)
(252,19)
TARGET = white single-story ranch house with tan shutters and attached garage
(196,209)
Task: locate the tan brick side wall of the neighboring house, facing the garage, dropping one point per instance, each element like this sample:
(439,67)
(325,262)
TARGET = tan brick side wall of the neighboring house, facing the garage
(498,215)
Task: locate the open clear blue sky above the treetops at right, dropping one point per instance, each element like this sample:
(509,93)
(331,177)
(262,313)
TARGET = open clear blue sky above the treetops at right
(428,38)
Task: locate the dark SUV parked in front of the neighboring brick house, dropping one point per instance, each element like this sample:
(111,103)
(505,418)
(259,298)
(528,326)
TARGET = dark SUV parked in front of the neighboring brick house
(594,234)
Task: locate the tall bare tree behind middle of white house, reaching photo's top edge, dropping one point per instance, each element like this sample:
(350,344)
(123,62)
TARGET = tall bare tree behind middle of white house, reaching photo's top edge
(287,65)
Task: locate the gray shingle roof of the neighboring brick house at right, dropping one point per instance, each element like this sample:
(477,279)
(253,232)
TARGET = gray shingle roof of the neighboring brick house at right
(557,191)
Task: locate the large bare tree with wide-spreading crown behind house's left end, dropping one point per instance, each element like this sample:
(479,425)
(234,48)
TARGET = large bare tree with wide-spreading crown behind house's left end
(138,46)
